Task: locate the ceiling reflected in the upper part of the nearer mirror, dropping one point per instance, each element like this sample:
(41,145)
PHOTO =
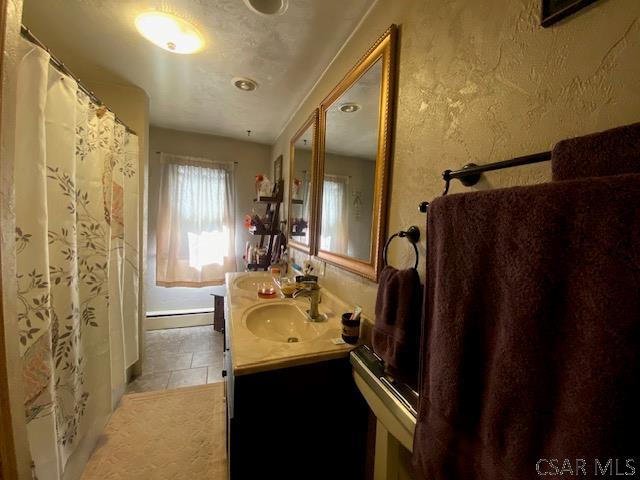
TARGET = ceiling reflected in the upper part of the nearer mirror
(356,134)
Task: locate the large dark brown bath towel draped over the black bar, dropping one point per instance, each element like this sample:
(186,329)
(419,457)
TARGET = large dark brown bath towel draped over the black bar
(533,319)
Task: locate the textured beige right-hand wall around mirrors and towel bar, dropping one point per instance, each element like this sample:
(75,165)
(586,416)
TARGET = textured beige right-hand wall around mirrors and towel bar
(481,81)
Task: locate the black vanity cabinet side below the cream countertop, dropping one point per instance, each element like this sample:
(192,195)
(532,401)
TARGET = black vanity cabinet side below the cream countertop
(303,422)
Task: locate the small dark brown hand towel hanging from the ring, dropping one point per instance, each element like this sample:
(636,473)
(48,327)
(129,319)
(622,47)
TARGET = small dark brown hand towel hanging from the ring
(396,332)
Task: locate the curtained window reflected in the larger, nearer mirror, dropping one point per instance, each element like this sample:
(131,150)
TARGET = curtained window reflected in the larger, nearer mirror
(334,232)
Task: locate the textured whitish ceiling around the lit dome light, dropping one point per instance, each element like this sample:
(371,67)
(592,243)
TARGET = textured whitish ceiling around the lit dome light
(285,54)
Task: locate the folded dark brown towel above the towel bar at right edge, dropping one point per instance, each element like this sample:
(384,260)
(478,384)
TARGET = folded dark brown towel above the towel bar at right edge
(612,152)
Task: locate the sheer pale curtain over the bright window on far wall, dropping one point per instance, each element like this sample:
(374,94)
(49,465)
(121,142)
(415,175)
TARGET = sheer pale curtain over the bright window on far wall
(196,224)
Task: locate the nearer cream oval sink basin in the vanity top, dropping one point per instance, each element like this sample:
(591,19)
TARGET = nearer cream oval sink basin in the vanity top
(284,322)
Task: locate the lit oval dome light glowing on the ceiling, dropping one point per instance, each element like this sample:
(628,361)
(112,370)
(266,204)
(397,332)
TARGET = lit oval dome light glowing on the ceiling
(169,32)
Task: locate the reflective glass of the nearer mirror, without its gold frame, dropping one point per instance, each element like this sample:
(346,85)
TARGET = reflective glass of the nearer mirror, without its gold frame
(351,149)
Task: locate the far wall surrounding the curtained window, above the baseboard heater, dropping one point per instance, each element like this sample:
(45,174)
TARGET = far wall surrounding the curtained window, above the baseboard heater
(252,158)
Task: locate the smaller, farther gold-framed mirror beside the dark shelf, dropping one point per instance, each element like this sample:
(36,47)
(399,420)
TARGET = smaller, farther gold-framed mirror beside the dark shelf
(302,171)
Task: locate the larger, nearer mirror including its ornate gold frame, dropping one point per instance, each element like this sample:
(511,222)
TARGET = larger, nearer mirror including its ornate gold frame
(354,149)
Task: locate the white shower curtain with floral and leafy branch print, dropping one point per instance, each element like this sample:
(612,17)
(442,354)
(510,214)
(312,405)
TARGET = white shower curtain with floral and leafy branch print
(76,190)
